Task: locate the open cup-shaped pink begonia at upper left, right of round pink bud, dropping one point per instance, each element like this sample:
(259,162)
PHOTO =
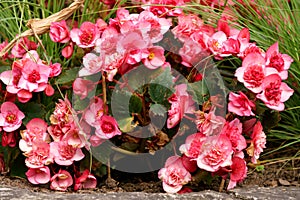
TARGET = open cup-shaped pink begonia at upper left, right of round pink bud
(86,36)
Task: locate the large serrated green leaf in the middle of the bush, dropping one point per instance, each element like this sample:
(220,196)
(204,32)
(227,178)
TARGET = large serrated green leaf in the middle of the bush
(161,87)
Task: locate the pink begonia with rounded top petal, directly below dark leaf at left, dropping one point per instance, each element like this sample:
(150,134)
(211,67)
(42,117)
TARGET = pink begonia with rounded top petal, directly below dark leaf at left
(36,129)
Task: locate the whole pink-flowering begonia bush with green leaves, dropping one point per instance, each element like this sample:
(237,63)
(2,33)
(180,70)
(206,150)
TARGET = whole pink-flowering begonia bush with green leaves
(155,66)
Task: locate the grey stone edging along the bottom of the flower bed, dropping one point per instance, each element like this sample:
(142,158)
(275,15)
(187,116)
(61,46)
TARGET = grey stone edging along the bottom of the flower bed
(250,193)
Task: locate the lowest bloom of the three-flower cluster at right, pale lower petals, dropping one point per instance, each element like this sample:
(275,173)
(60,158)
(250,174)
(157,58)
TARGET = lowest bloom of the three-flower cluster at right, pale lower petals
(275,92)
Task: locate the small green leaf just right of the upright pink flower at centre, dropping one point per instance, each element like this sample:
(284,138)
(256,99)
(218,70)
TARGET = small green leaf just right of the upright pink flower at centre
(199,91)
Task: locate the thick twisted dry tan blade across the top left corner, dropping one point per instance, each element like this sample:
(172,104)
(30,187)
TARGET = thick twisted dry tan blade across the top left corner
(41,26)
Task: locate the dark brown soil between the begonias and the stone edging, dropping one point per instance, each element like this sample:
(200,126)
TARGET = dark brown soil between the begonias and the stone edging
(280,173)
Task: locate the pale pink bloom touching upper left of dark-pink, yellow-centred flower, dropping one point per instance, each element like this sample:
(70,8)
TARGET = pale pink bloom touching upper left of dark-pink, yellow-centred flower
(95,111)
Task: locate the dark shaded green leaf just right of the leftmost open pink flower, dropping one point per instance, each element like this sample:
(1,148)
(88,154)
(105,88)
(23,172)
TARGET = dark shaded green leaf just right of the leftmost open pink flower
(32,110)
